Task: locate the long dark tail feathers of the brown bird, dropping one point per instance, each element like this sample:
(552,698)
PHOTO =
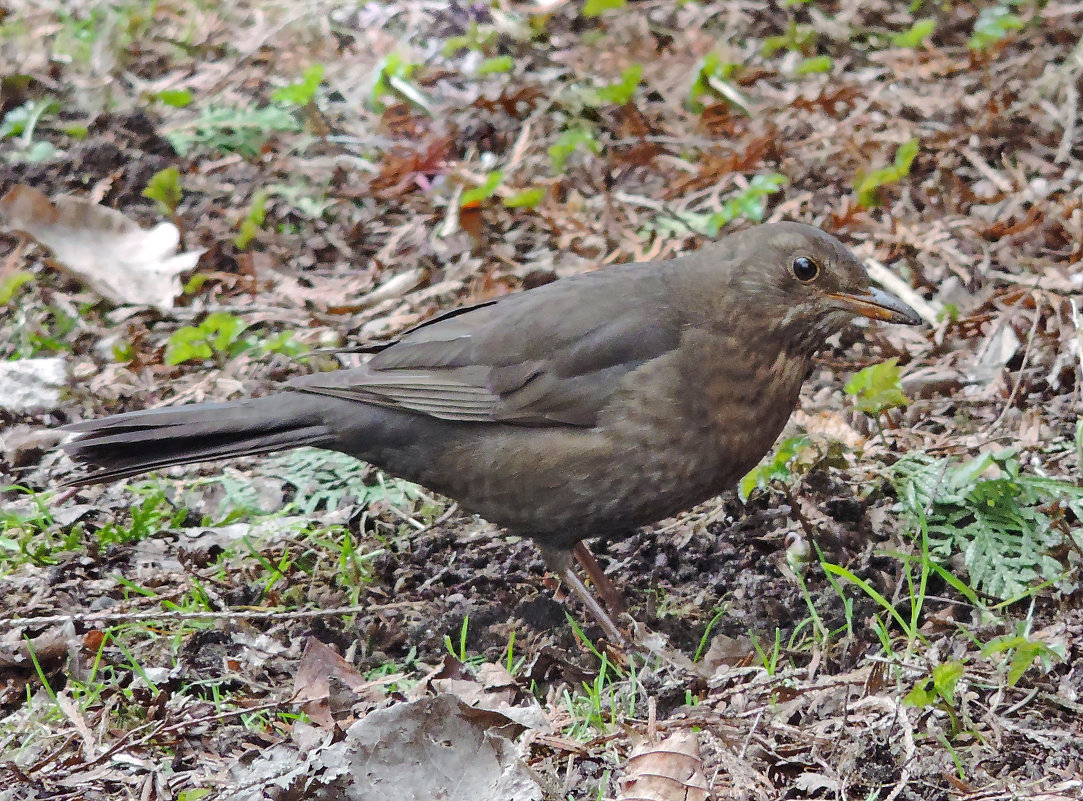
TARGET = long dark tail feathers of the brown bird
(125,445)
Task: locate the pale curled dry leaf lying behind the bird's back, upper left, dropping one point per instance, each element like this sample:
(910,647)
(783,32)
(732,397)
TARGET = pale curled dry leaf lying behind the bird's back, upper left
(101,247)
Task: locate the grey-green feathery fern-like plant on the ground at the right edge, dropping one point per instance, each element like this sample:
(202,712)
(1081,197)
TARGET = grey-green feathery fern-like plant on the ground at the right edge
(1009,527)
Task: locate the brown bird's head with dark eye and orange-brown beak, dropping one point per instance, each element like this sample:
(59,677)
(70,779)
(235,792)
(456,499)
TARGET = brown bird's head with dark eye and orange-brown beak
(806,284)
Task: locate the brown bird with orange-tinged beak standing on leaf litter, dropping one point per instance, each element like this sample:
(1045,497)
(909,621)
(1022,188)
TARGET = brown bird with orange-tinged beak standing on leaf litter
(589,406)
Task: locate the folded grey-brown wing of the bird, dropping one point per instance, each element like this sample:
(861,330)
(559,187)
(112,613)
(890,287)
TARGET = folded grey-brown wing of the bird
(551,357)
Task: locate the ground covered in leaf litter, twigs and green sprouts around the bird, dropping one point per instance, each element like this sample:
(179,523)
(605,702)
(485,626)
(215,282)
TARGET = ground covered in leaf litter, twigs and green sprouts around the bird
(891,609)
